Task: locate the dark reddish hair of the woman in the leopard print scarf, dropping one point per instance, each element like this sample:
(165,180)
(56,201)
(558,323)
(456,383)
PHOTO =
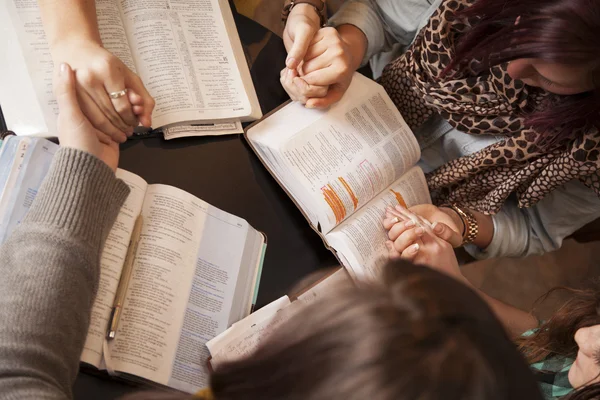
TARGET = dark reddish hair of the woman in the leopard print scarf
(559,31)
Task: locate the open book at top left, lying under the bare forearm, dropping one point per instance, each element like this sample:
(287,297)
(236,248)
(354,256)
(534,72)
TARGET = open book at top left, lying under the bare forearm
(187,53)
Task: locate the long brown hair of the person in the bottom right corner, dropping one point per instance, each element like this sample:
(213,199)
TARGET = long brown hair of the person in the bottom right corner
(556,336)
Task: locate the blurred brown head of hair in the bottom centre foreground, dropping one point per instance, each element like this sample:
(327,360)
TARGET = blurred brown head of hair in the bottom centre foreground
(414,334)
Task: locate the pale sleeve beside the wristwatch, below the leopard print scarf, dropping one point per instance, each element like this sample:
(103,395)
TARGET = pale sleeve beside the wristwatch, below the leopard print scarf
(520,232)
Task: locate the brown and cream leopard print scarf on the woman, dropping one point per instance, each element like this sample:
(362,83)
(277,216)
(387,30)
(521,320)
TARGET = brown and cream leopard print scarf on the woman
(491,103)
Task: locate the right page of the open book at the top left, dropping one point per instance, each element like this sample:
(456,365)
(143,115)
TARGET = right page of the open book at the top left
(185,59)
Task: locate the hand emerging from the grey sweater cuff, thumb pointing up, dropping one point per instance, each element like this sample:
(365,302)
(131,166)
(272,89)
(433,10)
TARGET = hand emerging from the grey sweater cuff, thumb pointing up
(74,129)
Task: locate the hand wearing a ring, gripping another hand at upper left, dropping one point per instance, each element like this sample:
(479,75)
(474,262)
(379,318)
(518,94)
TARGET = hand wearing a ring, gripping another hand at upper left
(98,73)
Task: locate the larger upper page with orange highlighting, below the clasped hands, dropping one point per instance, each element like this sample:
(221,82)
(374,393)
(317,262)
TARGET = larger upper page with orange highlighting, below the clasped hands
(342,157)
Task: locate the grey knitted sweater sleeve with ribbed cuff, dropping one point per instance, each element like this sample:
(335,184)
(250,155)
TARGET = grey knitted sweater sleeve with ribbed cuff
(49,270)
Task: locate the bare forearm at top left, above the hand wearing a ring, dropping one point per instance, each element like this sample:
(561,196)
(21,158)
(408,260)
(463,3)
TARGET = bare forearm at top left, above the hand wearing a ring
(71,20)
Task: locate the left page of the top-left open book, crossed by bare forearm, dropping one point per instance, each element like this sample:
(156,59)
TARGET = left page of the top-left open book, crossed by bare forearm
(35,88)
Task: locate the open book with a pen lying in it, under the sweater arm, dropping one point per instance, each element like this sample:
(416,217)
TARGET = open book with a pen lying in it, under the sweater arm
(195,271)
